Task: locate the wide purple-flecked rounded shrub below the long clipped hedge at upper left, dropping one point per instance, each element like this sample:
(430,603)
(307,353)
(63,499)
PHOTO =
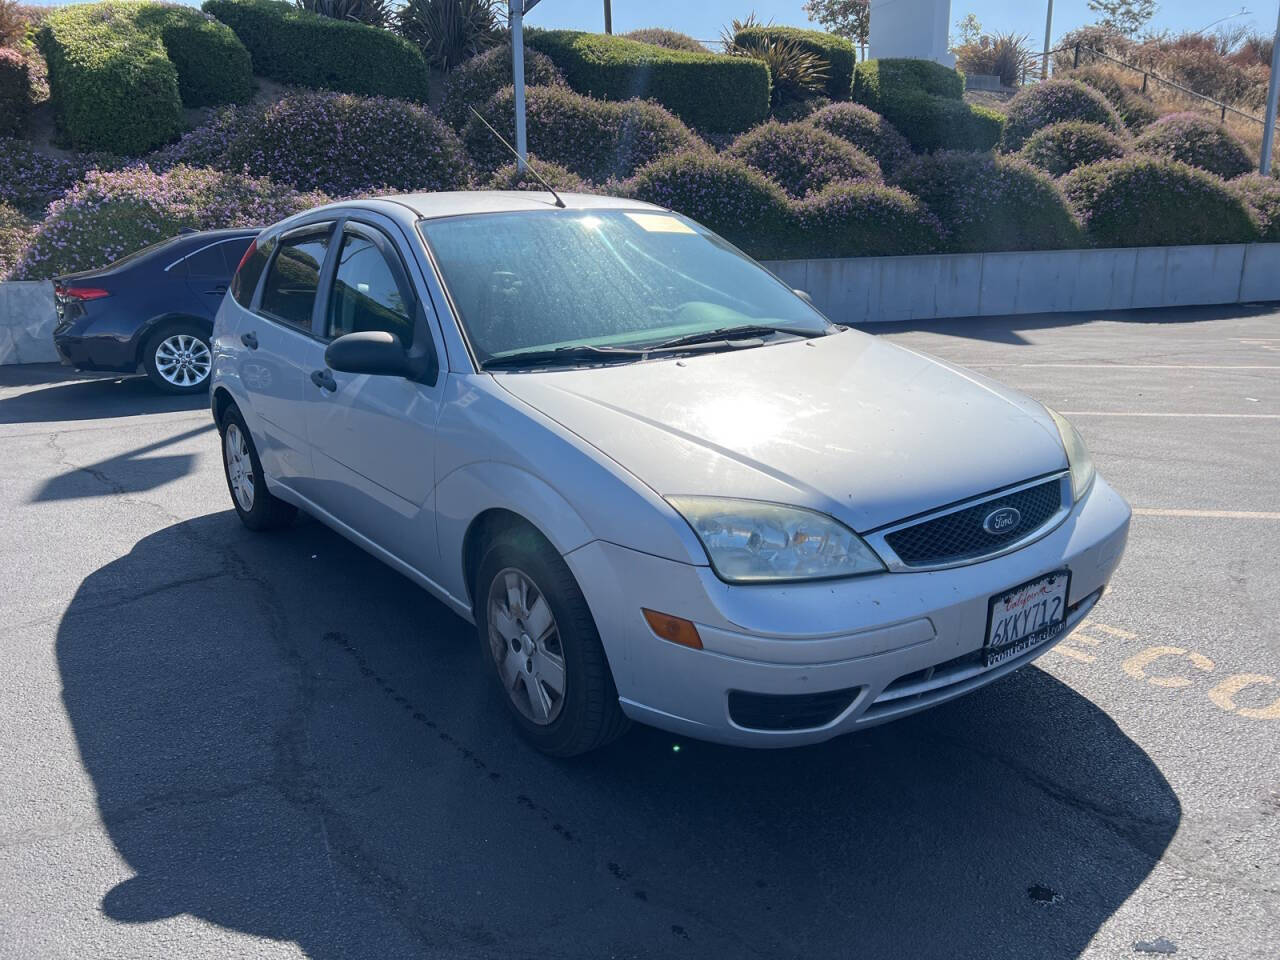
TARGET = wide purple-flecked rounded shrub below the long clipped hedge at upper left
(345,144)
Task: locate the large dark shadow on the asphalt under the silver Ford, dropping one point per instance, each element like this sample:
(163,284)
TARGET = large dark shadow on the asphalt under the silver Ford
(290,740)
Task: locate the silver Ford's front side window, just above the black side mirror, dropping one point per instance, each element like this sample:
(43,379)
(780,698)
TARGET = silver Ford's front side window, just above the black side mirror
(369,294)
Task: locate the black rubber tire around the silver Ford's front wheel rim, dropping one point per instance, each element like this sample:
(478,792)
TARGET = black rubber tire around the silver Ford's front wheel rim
(589,716)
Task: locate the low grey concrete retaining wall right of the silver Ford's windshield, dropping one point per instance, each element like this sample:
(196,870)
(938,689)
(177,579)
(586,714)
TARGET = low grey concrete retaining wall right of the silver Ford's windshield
(871,290)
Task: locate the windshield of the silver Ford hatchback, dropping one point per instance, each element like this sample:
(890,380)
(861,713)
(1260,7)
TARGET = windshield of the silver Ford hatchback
(538,281)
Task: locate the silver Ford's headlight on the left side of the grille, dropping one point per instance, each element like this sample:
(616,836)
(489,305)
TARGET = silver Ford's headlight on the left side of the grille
(756,542)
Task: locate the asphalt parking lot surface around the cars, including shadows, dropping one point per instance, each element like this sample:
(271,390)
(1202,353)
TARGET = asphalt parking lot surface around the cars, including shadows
(221,744)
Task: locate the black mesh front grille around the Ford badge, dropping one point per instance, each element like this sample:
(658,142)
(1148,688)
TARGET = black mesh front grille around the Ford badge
(961,536)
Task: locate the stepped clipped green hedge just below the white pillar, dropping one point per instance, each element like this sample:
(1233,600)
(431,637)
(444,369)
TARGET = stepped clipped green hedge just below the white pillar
(924,102)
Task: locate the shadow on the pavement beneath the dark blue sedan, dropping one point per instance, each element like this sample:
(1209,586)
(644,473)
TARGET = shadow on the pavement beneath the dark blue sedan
(74,397)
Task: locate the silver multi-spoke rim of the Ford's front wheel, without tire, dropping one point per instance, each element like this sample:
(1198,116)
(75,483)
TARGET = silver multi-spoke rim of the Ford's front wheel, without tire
(527,647)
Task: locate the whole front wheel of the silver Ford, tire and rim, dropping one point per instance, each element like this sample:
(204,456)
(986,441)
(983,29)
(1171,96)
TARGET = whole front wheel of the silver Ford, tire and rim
(540,637)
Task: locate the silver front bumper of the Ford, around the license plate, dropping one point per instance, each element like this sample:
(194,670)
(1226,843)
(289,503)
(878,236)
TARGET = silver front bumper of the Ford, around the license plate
(898,643)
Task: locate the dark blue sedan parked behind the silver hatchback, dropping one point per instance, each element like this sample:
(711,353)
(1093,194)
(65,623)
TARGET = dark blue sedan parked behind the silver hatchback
(154,310)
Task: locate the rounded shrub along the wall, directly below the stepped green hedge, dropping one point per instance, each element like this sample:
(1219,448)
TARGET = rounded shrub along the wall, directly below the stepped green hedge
(991,202)
